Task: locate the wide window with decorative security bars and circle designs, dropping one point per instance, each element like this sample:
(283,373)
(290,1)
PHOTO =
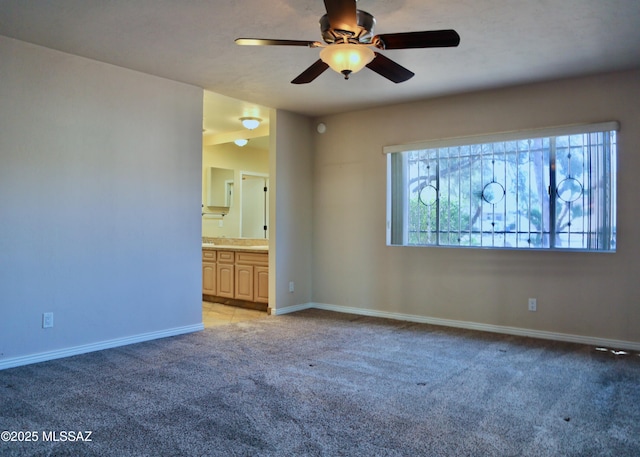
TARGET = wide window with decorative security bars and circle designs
(543,189)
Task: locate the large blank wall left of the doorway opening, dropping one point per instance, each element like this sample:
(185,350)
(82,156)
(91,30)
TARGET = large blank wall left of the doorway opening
(100,180)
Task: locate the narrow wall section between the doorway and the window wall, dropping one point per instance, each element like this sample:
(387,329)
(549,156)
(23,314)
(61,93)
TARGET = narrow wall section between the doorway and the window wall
(290,210)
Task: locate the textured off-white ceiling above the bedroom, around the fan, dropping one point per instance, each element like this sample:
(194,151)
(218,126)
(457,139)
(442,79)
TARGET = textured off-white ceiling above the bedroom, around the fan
(502,43)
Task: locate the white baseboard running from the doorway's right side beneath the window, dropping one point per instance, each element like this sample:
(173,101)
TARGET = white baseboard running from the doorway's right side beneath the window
(516,331)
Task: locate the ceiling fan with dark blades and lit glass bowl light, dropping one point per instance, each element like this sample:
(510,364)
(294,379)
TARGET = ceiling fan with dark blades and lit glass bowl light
(348,34)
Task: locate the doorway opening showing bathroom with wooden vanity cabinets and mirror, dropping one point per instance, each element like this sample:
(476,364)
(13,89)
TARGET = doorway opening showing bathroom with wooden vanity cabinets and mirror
(235,210)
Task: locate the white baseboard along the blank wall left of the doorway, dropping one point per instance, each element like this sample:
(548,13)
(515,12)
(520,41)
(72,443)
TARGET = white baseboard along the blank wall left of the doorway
(76,350)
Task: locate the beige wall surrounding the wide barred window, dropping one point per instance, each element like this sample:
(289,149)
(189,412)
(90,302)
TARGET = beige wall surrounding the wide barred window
(595,295)
